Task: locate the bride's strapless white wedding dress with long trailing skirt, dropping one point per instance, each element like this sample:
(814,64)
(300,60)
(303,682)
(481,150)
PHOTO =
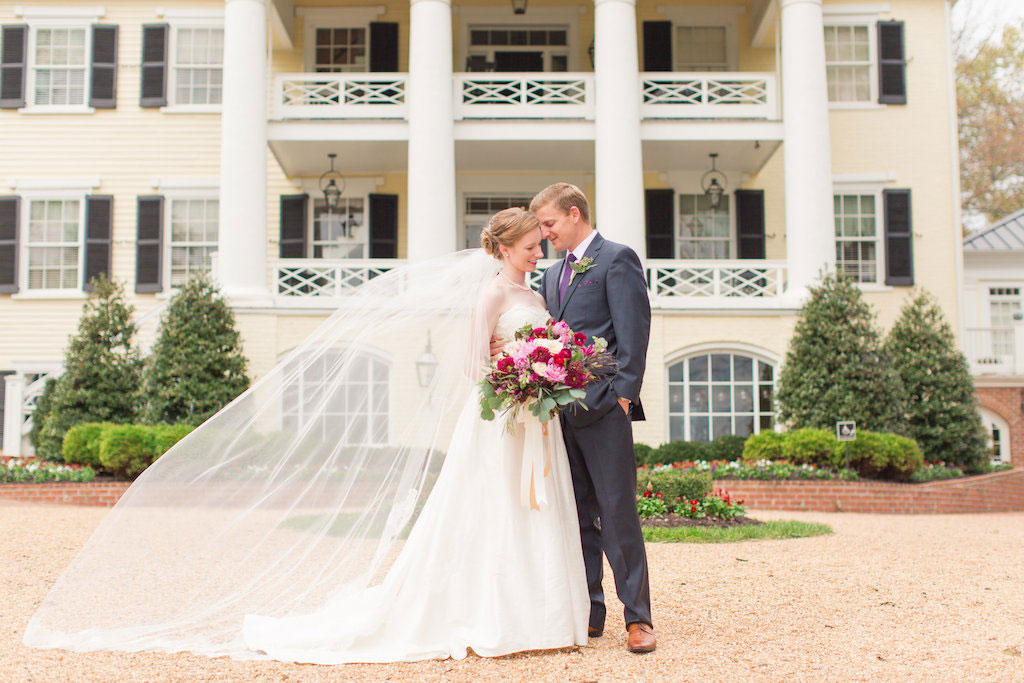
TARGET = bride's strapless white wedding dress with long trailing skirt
(482,570)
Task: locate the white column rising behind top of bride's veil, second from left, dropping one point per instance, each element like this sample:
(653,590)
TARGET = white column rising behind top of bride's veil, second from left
(432,216)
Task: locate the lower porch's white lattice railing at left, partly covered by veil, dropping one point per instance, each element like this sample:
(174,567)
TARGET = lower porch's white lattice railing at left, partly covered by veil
(297,279)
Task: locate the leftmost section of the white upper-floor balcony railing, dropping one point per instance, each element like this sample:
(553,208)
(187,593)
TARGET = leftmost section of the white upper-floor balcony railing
(340,97)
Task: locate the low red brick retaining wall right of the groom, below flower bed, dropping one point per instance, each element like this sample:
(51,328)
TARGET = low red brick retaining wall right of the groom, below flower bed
(1000,492)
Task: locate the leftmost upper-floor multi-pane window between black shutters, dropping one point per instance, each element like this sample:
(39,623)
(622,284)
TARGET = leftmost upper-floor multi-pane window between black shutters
(60,66)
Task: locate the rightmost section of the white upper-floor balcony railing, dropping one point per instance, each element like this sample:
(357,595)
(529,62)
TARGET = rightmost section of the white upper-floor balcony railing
(709,96)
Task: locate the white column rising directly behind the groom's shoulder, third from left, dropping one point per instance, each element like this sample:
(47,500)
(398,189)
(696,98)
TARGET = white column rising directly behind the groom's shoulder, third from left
(618,154)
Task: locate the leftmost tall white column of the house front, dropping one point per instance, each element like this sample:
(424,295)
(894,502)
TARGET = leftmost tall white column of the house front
(242,239)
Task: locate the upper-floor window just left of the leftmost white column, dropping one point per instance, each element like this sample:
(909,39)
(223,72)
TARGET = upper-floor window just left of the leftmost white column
(199,66)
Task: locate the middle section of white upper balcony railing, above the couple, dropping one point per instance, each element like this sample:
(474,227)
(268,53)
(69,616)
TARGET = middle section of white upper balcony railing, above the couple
(535,96)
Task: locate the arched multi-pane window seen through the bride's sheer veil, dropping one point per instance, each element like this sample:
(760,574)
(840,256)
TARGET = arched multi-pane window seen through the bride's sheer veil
(350,407)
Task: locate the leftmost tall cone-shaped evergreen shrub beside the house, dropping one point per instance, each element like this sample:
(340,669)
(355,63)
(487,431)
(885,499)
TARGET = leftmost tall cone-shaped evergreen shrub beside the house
(103,368)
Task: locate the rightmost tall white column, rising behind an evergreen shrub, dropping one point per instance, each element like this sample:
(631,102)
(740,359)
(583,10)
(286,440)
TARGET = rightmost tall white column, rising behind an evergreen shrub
(810,241)
